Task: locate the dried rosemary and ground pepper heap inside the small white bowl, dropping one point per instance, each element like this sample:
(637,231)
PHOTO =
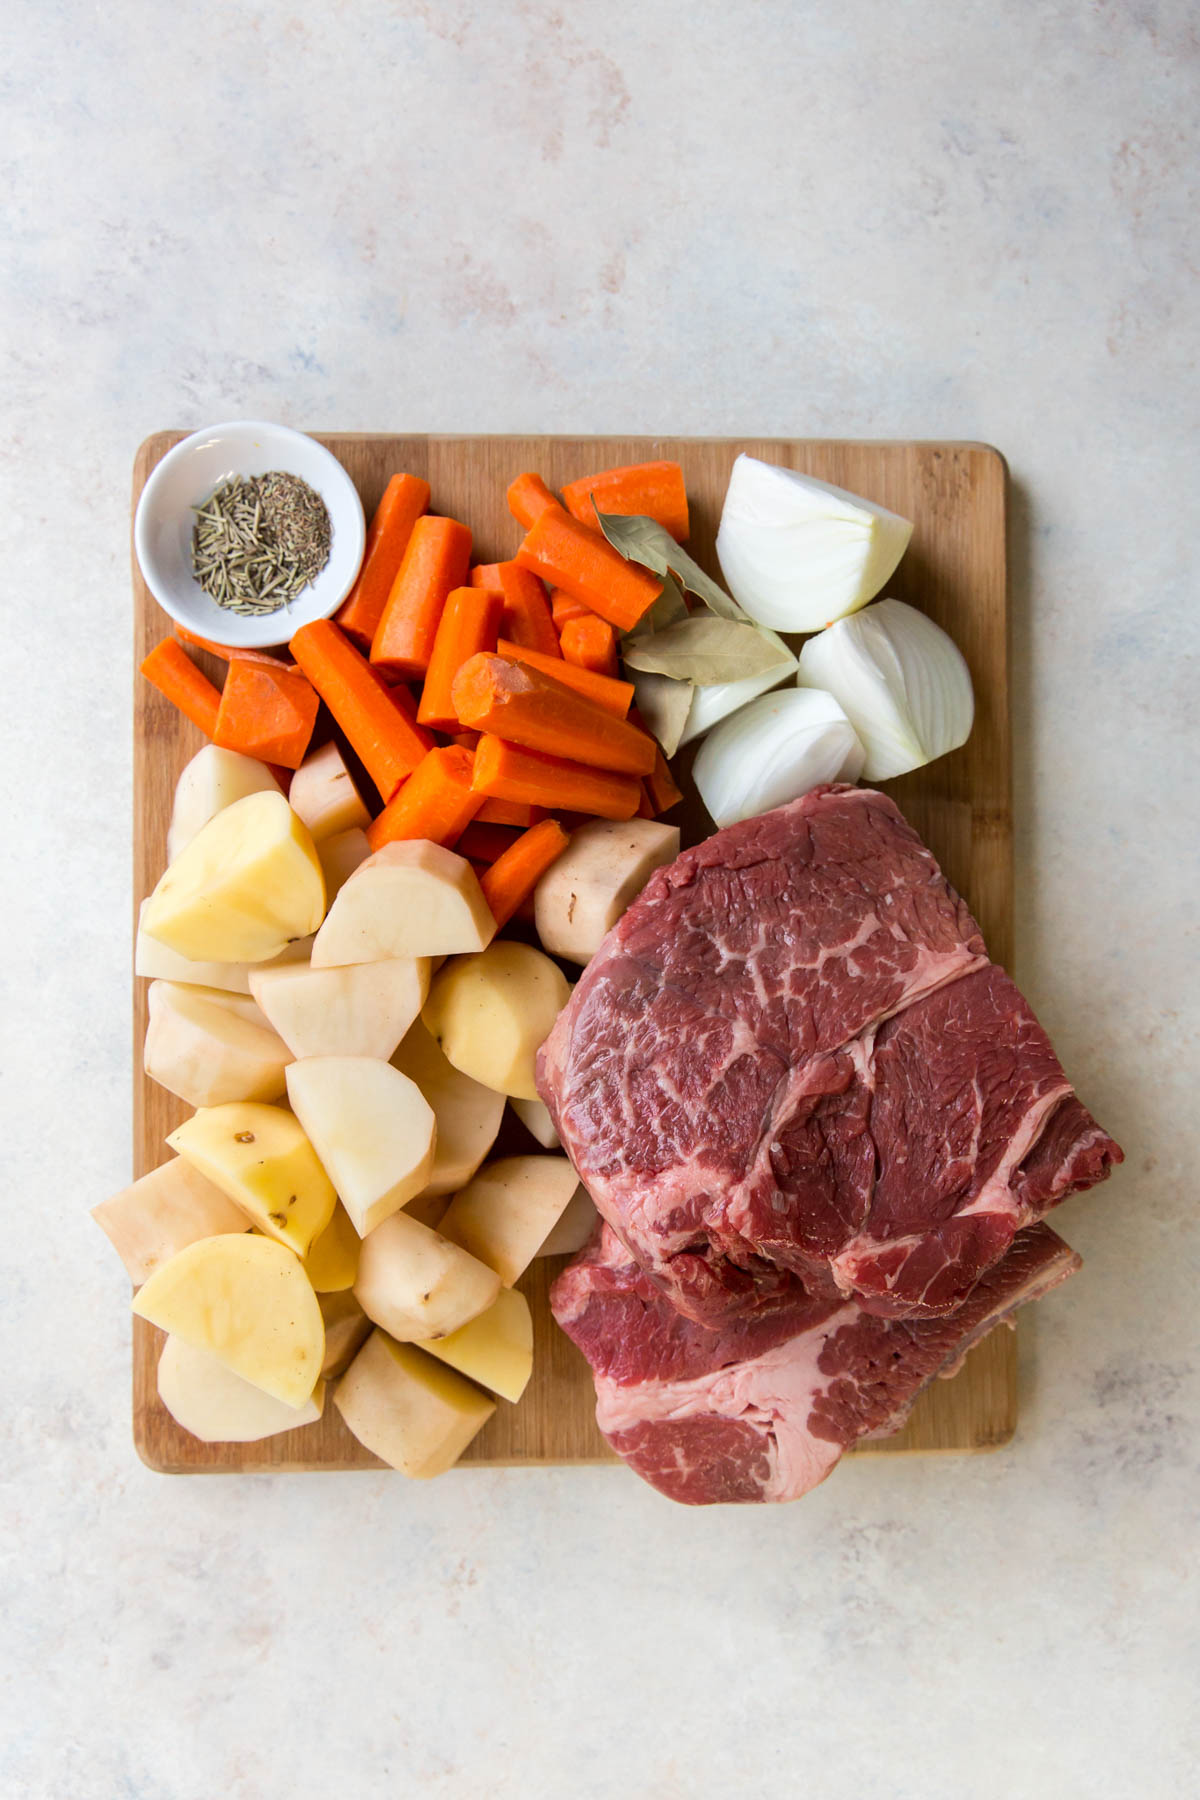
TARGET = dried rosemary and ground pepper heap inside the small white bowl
(260,541)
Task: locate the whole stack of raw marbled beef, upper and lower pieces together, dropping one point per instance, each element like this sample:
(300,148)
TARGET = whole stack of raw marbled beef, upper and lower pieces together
(821,1129)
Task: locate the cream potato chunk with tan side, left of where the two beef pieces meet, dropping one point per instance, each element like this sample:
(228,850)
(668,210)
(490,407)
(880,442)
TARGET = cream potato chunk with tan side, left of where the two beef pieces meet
(506,1212)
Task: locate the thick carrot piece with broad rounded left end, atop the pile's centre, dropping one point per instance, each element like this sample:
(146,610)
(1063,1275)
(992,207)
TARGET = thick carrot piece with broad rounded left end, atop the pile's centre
(524,706)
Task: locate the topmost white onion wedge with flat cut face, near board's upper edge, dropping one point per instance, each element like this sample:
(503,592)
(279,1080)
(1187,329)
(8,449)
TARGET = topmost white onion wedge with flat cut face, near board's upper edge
(800,553)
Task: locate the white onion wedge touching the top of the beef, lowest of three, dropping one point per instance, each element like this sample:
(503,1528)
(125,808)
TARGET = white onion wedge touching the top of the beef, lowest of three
(773,751)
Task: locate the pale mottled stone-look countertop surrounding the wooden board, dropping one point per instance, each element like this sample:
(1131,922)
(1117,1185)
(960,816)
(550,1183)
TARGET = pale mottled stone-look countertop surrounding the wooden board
(758,219)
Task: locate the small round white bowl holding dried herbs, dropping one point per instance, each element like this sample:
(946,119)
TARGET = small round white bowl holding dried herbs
(163,528)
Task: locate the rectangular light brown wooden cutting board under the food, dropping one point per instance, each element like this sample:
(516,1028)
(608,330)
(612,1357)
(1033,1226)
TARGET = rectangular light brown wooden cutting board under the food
(954,570)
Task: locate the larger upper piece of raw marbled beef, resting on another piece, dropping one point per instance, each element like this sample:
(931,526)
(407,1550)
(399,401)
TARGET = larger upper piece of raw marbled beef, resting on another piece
(794,1066)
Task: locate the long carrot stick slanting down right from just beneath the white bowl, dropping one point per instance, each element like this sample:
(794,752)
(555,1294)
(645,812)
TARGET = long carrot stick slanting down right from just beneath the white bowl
(373,717)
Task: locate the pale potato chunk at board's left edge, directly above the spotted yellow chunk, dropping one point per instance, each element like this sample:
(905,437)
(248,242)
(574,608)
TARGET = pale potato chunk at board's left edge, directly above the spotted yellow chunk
(202,1048)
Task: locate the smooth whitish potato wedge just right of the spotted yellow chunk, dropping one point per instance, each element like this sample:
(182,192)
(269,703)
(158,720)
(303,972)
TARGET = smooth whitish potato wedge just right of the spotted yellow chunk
(372,1129)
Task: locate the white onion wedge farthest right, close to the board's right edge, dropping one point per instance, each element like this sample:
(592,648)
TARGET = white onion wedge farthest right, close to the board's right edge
(902,683)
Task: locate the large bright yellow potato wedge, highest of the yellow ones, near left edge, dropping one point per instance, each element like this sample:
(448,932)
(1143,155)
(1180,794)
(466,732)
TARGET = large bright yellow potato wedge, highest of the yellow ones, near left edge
(246,886)
